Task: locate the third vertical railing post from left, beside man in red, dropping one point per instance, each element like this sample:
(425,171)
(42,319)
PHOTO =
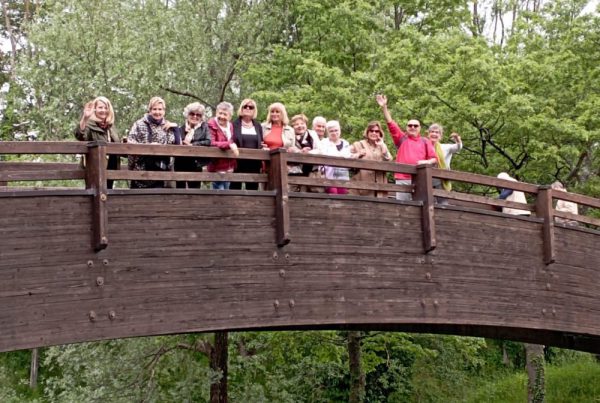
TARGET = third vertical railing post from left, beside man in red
(424,193)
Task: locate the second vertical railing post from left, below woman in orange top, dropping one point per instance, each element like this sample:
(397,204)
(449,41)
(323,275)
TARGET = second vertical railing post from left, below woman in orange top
(278,182)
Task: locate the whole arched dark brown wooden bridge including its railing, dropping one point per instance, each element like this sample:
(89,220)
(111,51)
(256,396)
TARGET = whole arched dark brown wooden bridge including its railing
(91,263)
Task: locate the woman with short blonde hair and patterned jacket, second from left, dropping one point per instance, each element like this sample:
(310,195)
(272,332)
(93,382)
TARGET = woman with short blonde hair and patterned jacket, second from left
(153,128)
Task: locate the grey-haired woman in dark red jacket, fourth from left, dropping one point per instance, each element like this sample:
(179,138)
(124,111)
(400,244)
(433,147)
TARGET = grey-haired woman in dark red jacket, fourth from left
(221,135)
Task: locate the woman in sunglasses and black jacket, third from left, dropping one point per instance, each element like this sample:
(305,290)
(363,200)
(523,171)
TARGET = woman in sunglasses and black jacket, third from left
(194,132)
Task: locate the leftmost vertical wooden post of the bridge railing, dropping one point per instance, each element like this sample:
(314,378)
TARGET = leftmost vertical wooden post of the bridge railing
(95,179)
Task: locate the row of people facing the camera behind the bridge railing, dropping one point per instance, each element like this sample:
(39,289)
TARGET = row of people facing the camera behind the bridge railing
(278,131)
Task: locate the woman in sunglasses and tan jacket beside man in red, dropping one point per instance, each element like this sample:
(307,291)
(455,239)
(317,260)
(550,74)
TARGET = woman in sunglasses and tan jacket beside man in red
(371,148)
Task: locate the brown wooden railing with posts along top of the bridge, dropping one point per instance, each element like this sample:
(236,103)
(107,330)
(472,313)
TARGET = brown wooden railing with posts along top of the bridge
(276,181)
